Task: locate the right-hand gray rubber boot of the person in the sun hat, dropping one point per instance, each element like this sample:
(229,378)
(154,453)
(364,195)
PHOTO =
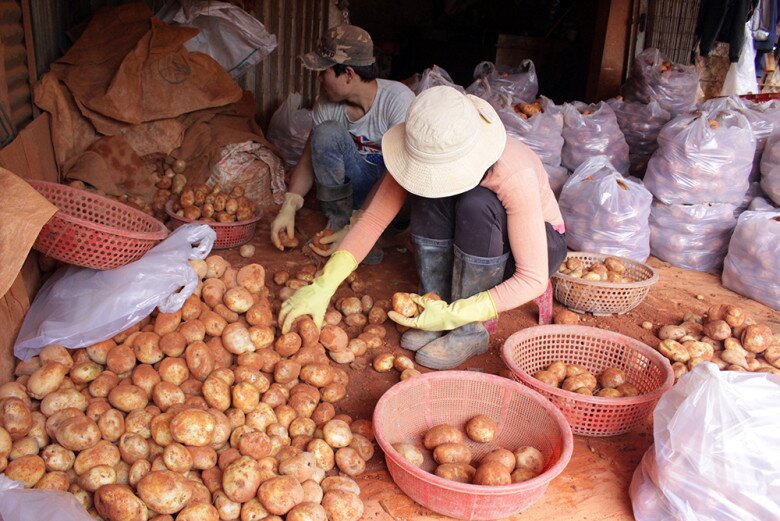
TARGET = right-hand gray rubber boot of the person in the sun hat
(470,275)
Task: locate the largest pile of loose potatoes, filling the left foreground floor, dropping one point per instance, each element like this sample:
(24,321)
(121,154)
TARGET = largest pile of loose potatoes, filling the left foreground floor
(204,414)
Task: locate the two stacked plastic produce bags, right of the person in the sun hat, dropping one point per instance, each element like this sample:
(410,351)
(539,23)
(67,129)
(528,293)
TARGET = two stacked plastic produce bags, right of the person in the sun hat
(699,174)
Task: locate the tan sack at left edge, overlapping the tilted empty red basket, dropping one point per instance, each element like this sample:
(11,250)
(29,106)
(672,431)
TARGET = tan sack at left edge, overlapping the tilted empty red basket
(23,212)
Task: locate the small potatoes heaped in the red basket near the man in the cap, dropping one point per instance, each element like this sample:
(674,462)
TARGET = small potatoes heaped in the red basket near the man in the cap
(210,204)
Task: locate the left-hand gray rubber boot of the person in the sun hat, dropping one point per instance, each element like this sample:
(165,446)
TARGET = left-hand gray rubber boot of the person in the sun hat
(434,269)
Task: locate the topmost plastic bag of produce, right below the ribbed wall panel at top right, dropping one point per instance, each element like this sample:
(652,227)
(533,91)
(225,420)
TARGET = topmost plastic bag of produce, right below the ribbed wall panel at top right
(653,77)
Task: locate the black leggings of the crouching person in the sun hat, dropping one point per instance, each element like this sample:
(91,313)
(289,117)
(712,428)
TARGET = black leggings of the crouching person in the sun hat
(476,221)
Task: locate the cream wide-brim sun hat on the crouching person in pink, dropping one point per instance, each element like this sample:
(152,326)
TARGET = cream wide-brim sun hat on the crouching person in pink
(445,146)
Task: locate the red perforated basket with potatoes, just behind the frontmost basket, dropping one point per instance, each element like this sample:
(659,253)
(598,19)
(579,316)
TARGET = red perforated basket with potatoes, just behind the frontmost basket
(533,349)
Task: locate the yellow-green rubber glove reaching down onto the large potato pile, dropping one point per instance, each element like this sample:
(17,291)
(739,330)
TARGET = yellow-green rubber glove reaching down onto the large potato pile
(313,299)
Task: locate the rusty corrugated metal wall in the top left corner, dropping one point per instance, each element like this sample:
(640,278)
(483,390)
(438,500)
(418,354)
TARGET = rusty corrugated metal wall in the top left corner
(16,74)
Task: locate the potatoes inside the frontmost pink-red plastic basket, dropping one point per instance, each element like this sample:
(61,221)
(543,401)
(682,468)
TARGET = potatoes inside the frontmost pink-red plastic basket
(454,458)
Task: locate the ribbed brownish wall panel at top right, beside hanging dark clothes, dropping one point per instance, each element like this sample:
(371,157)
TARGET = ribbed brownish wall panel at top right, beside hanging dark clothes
(671,26)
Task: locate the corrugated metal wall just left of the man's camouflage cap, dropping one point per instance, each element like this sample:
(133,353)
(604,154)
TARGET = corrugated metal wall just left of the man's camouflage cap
(297,25)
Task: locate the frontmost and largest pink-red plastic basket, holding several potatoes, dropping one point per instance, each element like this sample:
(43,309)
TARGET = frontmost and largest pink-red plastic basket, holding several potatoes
(408,409)
